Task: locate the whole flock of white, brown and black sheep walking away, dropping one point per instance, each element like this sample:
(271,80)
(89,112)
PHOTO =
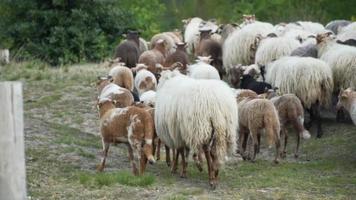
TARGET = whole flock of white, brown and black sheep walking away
(248,80)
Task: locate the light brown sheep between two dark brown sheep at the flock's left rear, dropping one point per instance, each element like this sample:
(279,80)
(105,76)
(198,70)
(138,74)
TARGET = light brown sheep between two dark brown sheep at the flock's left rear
(155,56)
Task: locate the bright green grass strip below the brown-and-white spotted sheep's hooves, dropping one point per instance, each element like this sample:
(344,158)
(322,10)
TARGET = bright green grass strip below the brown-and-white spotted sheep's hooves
(110,178)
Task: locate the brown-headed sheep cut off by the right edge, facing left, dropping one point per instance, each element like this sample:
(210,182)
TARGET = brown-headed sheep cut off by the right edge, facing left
(347,100)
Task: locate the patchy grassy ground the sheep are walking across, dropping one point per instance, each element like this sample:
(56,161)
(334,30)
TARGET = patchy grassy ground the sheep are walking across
(63,148)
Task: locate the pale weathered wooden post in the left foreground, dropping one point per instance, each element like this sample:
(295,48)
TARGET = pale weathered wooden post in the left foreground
(12,151)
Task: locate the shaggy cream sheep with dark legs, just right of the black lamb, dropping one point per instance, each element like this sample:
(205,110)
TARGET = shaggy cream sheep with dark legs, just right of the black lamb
(308,78)
